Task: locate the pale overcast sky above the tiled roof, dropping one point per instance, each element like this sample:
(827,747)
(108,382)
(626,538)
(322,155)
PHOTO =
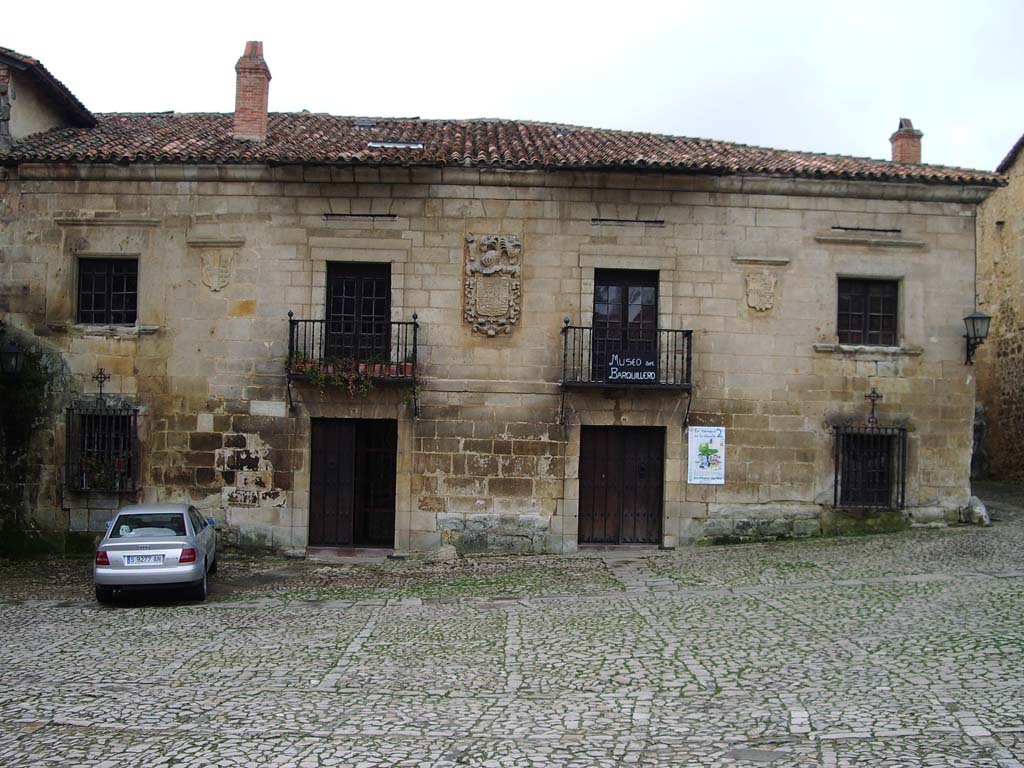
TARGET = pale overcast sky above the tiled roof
(817,76)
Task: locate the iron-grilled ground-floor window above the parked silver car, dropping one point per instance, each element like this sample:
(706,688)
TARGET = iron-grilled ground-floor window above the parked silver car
(102,451)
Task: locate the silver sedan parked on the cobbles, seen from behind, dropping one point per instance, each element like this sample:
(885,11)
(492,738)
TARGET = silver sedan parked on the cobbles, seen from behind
(153,546)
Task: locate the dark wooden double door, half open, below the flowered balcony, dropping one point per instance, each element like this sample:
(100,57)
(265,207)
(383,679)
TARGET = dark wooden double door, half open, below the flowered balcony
(352,484)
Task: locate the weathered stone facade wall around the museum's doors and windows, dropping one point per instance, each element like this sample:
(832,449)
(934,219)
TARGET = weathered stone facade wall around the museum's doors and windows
(750,265)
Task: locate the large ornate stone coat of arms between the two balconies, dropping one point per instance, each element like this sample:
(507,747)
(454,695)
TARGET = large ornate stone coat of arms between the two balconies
(493,285)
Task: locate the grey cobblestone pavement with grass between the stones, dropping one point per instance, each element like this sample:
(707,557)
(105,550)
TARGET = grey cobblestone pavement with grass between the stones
(891,651)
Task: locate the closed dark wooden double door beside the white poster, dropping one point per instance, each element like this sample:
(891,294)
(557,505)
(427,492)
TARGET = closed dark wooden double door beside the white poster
(621,479)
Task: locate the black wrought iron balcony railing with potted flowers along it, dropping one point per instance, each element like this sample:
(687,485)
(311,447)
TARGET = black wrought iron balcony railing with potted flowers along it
(378,351)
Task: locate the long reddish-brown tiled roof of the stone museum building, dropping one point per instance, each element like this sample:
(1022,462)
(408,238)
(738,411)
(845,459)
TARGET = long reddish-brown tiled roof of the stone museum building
(313,139)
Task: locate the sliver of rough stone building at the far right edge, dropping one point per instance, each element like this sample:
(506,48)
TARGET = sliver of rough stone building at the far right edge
(1001,289)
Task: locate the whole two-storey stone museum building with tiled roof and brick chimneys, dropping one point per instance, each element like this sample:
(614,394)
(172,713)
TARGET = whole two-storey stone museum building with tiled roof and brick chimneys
(349,332)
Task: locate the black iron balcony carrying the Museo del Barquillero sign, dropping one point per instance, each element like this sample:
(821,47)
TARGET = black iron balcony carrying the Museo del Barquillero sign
(595,358)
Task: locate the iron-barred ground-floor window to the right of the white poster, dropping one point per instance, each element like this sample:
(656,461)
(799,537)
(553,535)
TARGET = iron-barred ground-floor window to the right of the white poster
(871,467)
